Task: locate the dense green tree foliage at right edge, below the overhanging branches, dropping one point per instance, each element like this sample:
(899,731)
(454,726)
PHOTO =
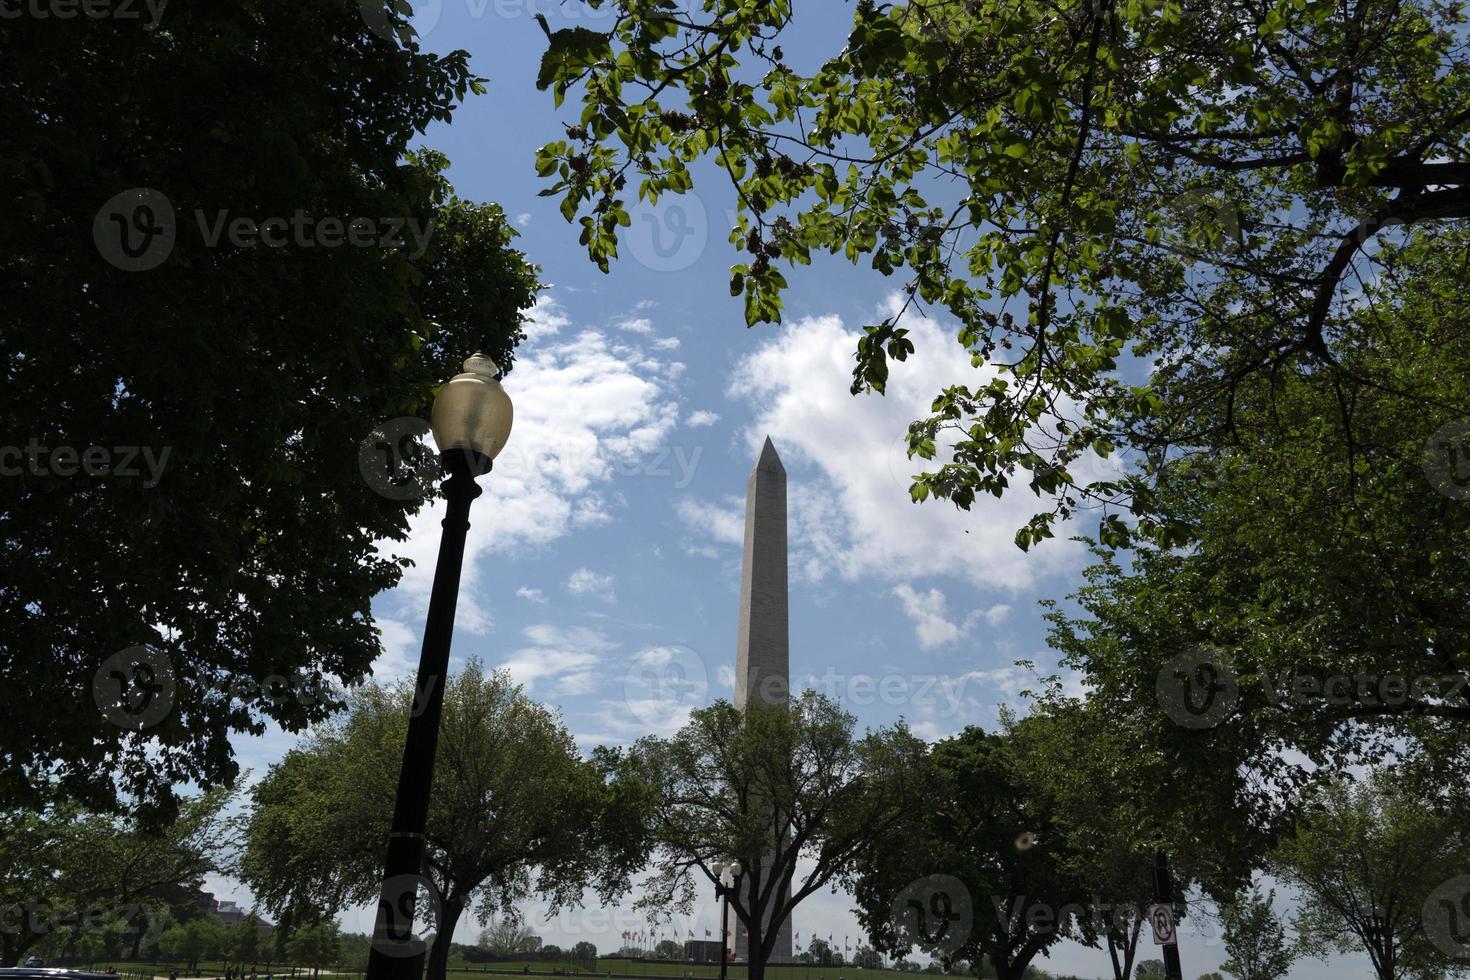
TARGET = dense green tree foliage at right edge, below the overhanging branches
(1321,622)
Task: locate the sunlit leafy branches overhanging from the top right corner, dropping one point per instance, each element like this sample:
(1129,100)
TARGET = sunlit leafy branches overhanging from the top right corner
(1086,187)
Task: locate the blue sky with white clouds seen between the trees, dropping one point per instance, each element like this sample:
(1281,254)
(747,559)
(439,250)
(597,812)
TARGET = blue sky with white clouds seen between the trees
(608,541)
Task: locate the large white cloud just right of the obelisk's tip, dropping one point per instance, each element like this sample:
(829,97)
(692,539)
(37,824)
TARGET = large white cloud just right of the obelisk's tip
(849,493)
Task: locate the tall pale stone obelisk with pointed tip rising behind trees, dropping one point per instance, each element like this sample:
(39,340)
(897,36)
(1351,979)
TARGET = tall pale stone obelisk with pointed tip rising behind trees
(764,652)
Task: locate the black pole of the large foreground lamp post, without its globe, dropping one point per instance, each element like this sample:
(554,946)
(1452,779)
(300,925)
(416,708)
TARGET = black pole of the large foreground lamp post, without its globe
(396,954)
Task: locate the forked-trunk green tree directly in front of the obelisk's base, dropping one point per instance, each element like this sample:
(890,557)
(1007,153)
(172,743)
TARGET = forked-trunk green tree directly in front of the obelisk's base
(787,790)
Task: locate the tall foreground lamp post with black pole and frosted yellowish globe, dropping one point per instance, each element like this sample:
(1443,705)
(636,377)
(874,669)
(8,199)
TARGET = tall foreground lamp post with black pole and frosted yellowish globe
(471,422)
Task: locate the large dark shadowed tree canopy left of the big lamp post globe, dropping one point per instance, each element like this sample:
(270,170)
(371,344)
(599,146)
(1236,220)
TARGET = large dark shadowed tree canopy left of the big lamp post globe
(251,372)
